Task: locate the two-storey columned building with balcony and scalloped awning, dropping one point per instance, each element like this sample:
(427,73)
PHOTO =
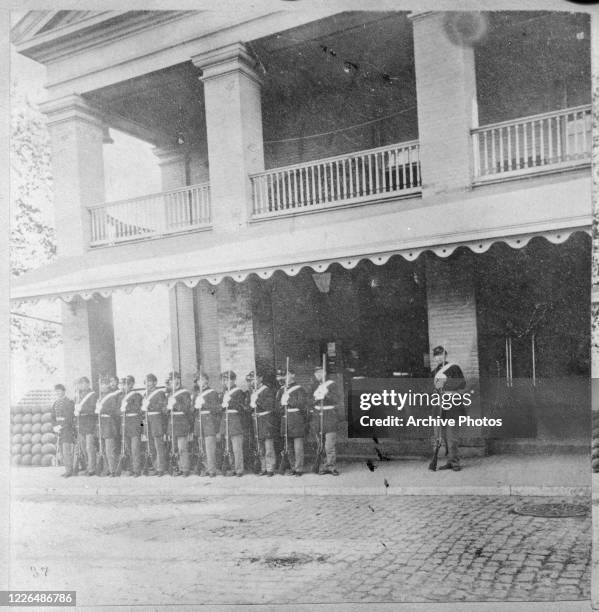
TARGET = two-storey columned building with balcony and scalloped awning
(367,184)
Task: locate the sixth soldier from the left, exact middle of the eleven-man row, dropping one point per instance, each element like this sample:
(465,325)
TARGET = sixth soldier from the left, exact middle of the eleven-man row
(180,421)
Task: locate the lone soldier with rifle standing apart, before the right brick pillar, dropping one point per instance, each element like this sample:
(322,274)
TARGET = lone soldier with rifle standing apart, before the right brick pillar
(448,378)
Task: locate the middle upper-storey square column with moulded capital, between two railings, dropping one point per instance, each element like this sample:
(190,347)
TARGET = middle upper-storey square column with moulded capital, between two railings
(234,132)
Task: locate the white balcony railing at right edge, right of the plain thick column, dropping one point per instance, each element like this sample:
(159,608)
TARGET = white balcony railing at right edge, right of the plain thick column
(539,143)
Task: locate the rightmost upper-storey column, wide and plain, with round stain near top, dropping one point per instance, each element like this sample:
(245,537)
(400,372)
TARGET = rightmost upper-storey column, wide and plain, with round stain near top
(447,109)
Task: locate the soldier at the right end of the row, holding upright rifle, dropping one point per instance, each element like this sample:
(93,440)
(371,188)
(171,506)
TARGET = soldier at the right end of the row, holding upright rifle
(326,403)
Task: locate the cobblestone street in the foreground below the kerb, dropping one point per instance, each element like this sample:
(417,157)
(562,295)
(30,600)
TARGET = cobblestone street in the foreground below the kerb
(263,549)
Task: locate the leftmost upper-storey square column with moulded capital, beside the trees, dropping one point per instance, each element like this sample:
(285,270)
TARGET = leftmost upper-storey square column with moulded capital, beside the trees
(77,135)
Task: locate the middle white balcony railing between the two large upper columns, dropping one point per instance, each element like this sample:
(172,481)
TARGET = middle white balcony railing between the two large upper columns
(357,177)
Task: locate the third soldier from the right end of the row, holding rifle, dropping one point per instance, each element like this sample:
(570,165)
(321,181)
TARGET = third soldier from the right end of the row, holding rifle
(262,405)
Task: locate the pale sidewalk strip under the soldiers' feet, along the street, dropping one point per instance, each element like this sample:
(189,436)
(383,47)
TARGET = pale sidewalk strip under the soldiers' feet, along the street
(551,475)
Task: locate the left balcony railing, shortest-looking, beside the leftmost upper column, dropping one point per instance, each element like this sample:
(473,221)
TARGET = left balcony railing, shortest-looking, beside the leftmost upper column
(160,214)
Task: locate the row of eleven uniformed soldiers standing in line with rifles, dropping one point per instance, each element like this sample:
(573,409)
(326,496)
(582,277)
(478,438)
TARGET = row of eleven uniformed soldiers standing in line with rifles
(181,425)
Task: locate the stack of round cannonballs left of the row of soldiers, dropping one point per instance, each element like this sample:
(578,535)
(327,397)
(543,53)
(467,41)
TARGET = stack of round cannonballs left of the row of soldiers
(32,437)
